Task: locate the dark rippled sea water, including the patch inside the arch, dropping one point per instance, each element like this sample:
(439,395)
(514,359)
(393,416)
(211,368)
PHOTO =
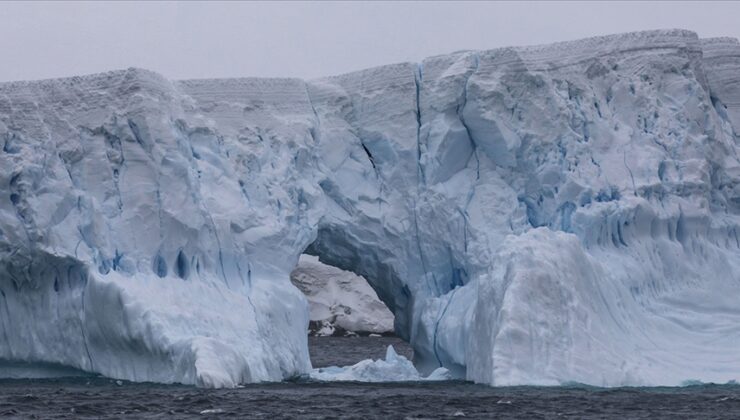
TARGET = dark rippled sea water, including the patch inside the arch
(96,397)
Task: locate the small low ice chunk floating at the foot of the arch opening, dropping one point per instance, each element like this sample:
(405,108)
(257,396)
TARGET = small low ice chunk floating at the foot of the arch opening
(394,368)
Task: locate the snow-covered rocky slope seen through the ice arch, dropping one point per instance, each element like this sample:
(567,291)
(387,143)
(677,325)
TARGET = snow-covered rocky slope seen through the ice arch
(339,301)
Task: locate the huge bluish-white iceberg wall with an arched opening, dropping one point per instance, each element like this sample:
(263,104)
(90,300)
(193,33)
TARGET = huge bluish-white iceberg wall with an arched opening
(531,215)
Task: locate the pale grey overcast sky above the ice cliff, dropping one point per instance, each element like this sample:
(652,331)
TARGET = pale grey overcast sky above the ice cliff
(196,40)
